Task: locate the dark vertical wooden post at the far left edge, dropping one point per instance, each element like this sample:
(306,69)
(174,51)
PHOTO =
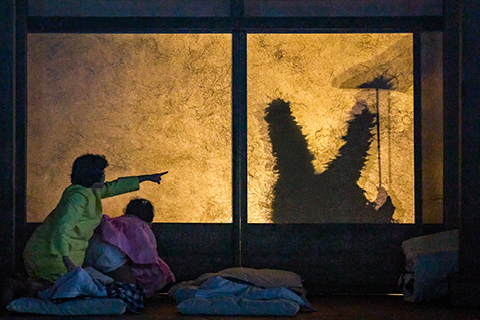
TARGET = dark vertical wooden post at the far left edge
(7,134)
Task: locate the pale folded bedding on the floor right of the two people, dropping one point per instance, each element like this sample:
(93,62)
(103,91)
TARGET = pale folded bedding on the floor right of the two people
(242,291)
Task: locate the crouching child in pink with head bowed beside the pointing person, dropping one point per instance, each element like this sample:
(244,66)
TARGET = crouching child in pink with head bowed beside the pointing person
(125,249)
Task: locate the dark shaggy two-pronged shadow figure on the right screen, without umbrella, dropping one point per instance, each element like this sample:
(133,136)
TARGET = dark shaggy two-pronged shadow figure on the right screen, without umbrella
(300,195)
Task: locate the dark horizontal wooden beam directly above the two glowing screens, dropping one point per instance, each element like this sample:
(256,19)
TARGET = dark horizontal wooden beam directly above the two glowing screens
(227,24)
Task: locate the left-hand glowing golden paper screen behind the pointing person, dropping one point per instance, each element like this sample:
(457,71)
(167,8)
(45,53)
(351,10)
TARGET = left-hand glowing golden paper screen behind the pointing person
(149,103)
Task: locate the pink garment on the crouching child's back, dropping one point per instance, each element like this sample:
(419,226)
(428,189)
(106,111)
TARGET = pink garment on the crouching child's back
(135,238)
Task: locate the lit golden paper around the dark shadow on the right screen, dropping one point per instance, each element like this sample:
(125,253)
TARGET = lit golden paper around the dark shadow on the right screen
(319,75)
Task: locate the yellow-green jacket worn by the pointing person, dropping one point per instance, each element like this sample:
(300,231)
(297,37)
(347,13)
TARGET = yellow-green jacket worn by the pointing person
(67,229)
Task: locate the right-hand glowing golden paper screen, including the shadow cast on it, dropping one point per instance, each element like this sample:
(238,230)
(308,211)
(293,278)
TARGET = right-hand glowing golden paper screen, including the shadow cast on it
(313,153)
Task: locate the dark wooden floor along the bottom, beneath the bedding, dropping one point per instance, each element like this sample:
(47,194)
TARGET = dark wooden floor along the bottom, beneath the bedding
(328,308)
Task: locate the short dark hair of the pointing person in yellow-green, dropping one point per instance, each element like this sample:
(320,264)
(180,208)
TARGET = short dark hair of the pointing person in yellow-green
(88,169)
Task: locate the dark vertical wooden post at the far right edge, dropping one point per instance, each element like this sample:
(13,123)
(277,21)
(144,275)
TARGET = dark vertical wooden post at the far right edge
(466,287)
